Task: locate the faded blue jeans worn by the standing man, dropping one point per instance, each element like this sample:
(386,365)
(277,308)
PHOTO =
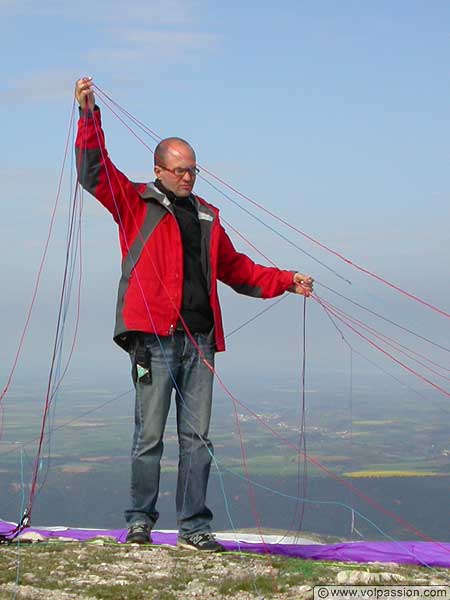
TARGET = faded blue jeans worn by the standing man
(174,364)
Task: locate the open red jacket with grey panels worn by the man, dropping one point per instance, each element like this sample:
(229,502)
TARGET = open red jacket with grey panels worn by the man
(150,289)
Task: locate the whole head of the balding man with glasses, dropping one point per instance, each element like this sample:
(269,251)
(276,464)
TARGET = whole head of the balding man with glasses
(175,165)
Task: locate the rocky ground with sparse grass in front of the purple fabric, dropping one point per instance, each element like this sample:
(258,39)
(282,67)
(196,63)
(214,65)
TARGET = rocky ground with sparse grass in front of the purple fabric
(104,570)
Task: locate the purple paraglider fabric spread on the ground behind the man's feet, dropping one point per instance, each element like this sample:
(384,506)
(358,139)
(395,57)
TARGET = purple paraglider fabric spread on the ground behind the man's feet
(431,554)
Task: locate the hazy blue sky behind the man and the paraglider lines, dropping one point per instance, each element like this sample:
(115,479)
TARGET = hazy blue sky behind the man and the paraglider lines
(332,114)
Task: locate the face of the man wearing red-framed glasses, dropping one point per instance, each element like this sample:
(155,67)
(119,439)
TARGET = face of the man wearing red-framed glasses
(178,156)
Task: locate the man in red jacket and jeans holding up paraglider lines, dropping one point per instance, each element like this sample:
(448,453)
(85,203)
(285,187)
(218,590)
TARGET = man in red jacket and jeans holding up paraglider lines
(168,315)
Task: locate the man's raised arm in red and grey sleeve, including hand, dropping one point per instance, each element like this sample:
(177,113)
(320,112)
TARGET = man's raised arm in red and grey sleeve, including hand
(96,172)
